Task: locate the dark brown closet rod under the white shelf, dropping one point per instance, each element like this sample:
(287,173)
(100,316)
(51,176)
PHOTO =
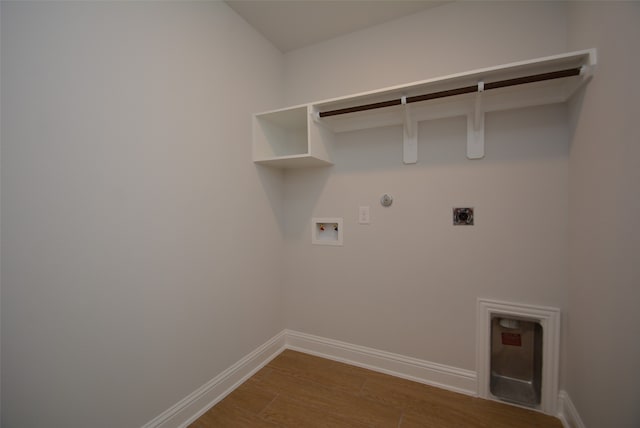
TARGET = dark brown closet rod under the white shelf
(458,91)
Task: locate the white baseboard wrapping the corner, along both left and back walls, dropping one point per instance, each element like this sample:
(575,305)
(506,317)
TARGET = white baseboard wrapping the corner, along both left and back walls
(198,402)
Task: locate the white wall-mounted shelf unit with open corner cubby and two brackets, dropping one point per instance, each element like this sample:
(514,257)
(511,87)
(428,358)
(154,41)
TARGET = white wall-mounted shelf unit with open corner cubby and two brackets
(303,136)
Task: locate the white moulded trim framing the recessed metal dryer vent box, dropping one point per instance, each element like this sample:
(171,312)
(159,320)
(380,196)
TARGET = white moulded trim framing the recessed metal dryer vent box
(549,319)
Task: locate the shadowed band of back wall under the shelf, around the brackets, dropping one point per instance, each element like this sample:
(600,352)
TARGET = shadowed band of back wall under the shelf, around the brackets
(513,135)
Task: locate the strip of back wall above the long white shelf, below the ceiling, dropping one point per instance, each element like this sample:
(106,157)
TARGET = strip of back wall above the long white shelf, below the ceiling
(454,37)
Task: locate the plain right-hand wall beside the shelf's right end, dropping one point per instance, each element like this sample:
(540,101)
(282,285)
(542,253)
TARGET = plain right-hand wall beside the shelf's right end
(604,290)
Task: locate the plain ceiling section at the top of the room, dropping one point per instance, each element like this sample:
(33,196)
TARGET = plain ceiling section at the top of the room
(293,24)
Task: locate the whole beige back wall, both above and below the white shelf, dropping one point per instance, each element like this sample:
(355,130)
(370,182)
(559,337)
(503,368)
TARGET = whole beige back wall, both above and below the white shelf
(408,282)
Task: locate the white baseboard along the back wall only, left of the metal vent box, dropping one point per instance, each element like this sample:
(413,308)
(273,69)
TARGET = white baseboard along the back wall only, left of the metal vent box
(439,375)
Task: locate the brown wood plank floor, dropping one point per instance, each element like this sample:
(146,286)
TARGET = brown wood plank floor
(300,390)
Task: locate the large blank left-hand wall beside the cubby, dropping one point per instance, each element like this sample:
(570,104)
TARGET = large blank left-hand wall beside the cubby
(141,248)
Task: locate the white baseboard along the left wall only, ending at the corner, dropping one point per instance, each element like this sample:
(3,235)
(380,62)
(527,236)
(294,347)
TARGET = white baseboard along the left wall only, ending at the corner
(202,399)
